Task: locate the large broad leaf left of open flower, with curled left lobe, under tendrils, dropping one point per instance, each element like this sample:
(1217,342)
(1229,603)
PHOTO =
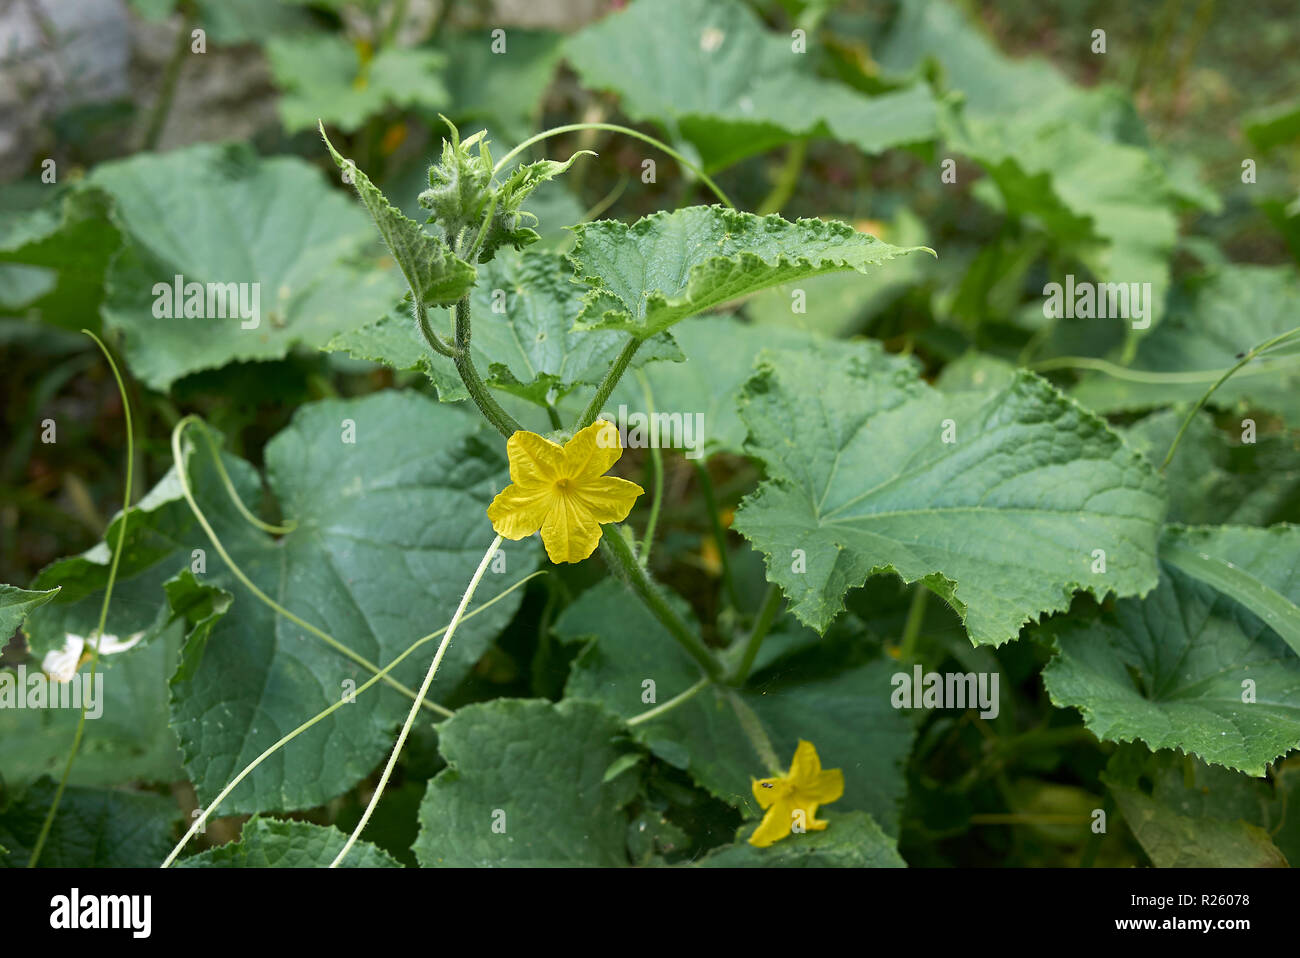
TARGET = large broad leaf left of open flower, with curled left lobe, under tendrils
(391,528)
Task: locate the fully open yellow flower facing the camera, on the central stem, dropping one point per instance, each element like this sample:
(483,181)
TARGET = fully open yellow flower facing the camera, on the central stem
(564,491)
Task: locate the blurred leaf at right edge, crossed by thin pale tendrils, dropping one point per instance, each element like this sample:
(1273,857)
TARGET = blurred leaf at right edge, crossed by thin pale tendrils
(1212,320)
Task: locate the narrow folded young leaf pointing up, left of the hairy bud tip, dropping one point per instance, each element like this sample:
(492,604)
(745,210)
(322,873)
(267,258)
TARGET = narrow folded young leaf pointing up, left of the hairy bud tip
(434,274)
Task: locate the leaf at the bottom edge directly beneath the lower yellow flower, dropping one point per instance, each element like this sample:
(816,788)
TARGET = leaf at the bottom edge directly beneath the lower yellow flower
(852,840)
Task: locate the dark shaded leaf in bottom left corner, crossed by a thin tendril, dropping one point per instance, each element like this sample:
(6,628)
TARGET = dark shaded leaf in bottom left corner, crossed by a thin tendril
(96,829)
